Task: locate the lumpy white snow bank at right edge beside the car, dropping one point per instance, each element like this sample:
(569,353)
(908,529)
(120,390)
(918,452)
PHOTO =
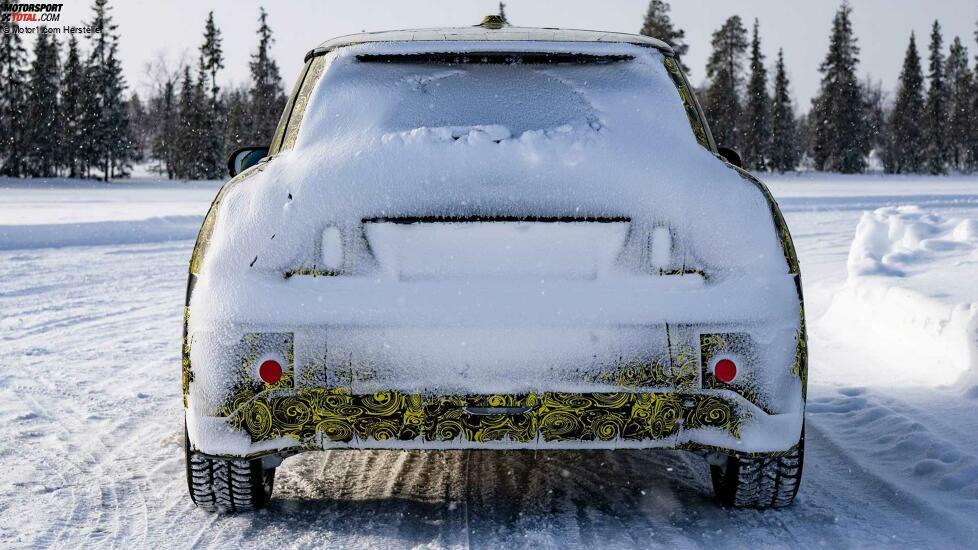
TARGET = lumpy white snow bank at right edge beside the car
(910,297)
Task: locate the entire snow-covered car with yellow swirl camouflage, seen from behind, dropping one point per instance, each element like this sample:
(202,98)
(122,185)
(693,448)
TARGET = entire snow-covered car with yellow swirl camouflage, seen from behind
(493,238)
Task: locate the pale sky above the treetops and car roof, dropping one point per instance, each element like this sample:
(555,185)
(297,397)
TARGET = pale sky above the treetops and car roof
(171,27)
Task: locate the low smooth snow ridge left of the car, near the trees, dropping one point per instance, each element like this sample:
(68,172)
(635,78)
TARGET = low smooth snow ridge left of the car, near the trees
(167,228)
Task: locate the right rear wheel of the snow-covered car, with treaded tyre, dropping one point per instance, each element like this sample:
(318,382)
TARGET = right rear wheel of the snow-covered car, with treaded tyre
(759,482)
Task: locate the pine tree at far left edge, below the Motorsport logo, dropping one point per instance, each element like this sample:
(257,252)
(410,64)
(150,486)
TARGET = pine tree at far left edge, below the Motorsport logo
(13,98)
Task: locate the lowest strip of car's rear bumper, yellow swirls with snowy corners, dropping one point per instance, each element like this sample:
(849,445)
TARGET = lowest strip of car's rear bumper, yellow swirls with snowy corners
(321,418)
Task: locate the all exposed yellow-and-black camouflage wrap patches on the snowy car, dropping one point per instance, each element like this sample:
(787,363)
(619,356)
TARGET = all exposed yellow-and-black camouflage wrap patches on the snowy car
(651,401)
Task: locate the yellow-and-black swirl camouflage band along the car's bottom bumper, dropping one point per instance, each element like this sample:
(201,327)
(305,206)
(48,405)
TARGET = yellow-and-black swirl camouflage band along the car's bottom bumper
(342,417)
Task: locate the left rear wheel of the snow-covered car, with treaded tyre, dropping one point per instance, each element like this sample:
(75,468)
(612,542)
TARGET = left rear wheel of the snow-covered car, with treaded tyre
(219,485)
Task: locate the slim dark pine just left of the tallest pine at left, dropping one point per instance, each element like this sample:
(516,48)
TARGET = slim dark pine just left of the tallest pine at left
(72,107)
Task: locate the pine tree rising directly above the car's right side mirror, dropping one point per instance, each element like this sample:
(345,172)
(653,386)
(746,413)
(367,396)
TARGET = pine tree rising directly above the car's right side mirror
(723,70)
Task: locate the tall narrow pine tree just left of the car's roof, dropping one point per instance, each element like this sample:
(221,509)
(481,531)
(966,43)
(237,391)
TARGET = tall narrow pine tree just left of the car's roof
(267,96)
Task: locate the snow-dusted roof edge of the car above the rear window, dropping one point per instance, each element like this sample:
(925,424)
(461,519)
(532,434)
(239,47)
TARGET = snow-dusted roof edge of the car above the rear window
(479,33)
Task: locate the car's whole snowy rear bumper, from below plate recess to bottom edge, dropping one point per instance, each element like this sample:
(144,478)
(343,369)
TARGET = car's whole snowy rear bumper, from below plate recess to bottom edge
(393,364)
